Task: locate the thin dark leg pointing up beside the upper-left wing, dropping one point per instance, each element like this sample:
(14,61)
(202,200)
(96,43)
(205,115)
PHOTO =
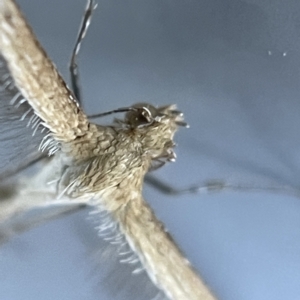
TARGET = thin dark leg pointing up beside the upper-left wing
(85,23)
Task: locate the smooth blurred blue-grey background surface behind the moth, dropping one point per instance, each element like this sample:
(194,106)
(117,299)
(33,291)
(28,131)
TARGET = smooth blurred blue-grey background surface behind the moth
(233,69)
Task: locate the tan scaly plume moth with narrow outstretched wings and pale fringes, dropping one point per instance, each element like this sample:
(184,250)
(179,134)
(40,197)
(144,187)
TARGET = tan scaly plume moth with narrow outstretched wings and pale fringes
(103,166)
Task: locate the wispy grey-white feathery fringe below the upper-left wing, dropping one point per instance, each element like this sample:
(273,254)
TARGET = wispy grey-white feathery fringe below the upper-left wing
(17,123)
